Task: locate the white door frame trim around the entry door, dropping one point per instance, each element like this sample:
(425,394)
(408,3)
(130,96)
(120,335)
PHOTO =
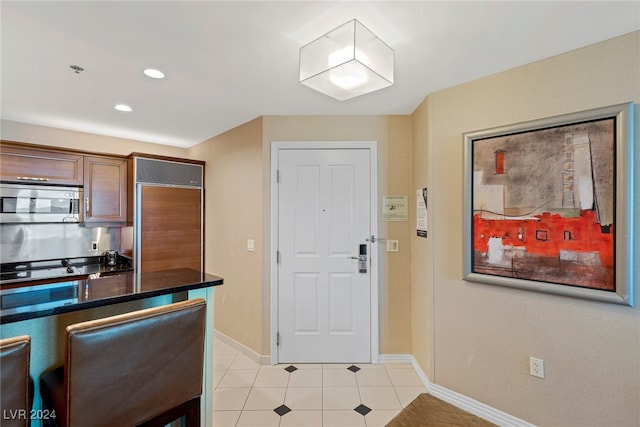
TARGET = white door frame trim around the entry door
(372,147)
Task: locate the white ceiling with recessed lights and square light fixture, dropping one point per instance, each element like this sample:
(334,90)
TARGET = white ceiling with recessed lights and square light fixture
(228,62)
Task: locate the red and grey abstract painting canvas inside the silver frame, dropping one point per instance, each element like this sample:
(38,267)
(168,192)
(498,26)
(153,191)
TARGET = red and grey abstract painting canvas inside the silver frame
(544,205)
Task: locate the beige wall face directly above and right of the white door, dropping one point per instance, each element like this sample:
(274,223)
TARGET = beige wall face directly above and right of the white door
(393,137)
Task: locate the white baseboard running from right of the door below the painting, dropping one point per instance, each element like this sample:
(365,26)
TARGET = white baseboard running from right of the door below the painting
(461,401)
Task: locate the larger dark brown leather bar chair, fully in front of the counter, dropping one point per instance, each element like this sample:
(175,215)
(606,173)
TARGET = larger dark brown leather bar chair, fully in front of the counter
(141,368)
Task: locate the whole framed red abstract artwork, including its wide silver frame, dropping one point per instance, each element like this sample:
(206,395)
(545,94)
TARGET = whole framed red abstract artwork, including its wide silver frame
(548,205)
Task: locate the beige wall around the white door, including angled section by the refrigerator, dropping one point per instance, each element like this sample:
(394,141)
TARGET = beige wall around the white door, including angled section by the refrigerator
(239,173)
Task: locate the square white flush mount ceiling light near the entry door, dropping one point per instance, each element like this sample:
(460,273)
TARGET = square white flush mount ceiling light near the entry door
(346,62)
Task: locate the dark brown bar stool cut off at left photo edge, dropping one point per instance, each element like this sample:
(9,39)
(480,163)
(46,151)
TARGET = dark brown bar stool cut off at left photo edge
(16,386)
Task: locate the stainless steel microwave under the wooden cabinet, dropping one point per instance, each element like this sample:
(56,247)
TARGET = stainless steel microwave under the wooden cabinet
(37,203)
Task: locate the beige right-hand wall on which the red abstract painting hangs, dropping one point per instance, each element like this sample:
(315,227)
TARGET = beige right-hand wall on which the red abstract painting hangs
(481,335)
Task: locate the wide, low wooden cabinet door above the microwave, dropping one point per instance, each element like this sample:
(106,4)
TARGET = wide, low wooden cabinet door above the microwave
(35,165)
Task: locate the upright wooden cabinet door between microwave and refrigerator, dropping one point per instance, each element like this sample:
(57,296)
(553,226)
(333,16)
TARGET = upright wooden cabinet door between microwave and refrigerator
(105,190)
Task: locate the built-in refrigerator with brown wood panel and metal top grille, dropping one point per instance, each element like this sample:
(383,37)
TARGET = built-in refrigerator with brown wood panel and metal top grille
(168,215)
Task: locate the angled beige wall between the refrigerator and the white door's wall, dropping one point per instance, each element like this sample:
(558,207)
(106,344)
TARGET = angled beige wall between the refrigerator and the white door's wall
(233,201)
